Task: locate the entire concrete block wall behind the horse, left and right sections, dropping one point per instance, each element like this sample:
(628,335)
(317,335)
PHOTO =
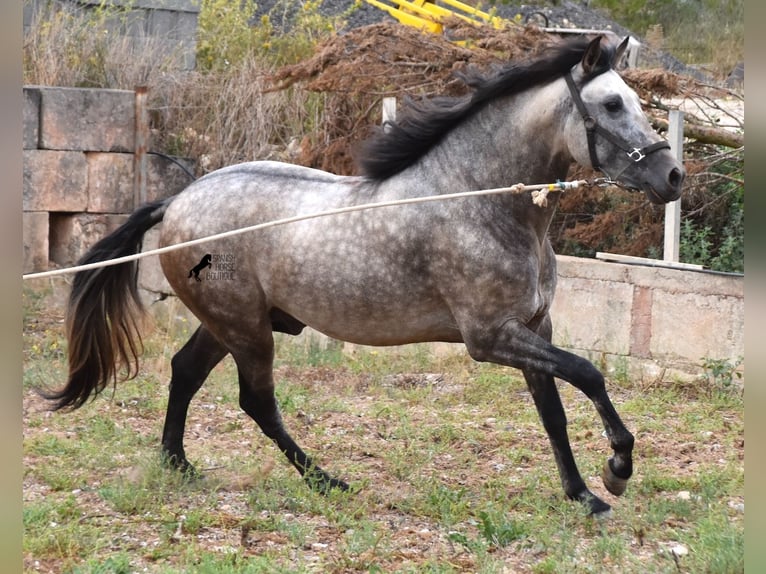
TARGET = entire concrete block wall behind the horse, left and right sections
(78,185)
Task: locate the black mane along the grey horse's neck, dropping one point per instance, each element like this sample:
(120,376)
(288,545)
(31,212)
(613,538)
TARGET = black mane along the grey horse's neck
(399,144)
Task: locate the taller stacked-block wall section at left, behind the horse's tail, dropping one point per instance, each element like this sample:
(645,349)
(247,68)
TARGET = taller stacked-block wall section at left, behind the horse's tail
(79,171)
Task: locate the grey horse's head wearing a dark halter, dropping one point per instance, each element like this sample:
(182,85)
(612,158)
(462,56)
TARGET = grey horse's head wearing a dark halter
(608,130)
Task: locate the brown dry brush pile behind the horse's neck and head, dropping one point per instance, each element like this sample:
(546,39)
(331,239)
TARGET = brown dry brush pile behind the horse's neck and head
(354,71)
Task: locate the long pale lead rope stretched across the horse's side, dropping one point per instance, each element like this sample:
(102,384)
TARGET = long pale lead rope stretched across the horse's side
(539,197)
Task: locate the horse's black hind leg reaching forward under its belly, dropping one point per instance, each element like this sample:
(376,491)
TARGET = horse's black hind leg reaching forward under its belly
(257,399)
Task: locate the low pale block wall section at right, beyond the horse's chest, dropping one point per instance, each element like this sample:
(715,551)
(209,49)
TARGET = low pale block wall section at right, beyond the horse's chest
(648,321)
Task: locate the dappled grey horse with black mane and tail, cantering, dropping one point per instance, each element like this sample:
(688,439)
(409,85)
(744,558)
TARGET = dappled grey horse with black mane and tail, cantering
(477,270)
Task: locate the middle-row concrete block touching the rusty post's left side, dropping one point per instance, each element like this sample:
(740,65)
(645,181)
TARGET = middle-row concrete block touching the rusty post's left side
(110,182)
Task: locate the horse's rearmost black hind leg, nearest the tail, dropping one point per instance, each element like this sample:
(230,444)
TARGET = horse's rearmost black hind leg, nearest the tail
(190,367)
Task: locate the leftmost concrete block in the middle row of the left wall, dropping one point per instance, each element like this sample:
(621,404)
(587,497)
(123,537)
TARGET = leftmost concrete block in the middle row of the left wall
(55,181)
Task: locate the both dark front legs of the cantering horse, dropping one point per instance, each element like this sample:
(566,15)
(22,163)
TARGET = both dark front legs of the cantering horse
(516,345)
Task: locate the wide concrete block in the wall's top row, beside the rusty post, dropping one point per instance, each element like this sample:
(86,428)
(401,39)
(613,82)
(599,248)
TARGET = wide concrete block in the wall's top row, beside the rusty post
(87,119)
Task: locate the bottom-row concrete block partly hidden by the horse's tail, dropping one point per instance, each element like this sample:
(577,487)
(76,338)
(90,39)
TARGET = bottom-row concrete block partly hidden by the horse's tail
(71,235)
